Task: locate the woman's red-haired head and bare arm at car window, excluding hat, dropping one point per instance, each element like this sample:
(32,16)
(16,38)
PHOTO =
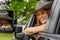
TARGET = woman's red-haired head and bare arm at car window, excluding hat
(41,16)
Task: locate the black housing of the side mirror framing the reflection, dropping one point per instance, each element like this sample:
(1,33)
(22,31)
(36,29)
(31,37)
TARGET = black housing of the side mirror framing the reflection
(11,15)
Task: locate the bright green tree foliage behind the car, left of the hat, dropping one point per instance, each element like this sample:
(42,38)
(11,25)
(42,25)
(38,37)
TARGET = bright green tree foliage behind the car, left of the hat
(21,8)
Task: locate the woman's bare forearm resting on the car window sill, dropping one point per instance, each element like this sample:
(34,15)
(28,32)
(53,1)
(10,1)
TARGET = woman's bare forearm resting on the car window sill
(32,30)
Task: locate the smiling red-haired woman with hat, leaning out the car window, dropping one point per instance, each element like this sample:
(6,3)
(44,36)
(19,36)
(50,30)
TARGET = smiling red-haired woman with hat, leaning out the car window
(42,15)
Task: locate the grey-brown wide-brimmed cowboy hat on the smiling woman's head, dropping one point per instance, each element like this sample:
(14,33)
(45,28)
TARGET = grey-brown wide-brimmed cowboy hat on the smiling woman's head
(42,4)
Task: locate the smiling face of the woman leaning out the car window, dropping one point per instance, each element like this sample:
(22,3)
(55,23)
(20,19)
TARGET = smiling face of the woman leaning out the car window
(42,16)
